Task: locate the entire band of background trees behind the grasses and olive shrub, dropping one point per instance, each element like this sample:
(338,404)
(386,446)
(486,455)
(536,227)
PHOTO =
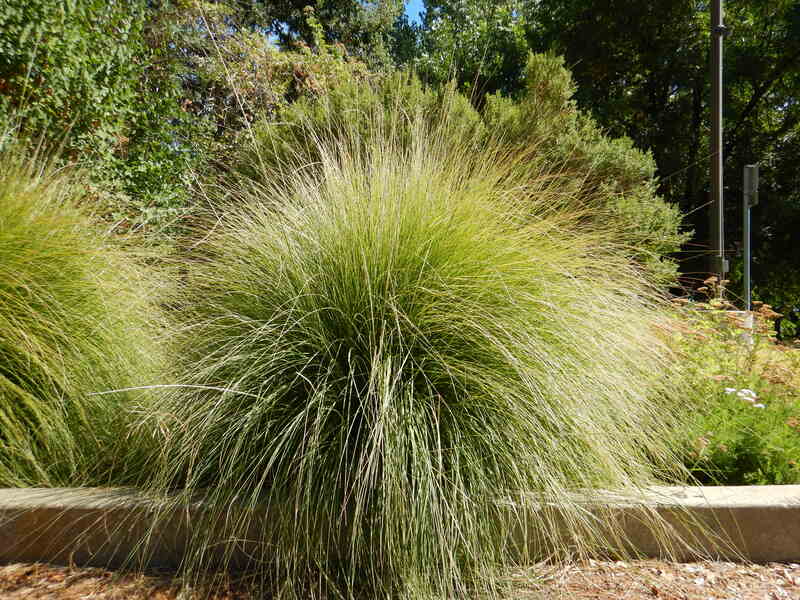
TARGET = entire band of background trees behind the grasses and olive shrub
(148,88)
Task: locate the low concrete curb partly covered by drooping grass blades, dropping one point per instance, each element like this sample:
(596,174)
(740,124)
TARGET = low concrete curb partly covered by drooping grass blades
(105,527)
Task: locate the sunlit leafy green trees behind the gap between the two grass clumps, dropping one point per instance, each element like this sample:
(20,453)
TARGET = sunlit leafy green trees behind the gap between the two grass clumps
(141,92)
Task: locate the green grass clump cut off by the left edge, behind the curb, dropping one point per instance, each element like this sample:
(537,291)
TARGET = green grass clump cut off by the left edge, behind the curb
(75,319)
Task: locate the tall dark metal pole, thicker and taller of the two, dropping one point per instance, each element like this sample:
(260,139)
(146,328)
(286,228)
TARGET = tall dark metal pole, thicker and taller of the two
(718,262)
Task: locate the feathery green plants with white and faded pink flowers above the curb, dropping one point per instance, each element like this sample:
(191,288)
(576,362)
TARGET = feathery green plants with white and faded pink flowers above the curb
(743,406)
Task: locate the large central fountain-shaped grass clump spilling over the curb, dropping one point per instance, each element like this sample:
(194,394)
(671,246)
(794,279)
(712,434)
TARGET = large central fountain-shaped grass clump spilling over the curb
(388,359)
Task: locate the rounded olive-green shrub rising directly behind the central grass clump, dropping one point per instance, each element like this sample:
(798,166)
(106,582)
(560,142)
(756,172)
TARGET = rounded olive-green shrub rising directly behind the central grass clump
(542,134)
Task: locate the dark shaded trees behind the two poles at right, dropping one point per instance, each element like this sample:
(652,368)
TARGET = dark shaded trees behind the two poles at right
(617,49)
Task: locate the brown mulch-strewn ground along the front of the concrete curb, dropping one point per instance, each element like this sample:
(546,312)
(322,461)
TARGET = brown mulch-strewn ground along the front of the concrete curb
(591,580)
